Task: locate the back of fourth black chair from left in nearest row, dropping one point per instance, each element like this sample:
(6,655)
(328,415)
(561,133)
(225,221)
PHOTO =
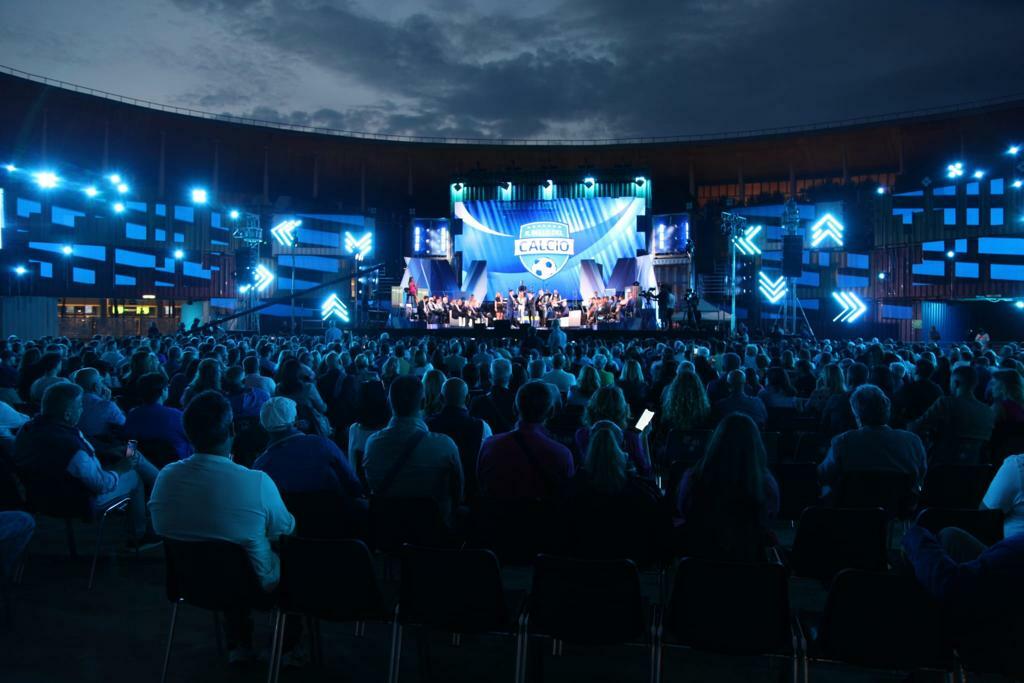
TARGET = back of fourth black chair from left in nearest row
(593,603)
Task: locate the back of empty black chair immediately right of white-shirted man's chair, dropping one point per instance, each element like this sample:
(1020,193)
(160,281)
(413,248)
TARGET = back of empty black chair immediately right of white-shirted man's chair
(332,580)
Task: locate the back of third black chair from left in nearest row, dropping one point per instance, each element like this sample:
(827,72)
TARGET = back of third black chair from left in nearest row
(455,590)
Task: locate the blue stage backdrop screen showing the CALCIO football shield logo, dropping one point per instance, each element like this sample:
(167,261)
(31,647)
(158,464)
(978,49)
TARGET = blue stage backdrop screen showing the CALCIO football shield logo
(543,243)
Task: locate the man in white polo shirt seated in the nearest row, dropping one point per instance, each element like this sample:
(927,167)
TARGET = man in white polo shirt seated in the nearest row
(209,498)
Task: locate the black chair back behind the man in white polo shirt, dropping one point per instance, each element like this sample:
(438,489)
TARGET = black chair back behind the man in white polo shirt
(212,575)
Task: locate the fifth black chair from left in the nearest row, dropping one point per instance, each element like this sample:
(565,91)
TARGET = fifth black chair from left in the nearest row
(730,608)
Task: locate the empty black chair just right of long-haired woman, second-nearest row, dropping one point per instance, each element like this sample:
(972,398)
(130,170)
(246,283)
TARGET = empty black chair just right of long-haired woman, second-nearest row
(830,540)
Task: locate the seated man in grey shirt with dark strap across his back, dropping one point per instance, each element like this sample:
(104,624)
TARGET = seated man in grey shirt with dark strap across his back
(405,460)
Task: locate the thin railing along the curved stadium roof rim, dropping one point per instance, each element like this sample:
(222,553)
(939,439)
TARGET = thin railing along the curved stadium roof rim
(723,136)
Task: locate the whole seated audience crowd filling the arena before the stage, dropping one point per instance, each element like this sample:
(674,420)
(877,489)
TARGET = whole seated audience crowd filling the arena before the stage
(216,439)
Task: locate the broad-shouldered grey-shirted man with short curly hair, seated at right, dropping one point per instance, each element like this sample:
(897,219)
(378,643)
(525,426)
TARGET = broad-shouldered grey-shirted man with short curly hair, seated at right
(873,446)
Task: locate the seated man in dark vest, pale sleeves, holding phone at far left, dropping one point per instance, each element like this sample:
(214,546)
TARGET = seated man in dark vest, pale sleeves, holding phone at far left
(51,454)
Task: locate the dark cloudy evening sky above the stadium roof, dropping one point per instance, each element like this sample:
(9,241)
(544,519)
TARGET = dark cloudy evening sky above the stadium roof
(566,69)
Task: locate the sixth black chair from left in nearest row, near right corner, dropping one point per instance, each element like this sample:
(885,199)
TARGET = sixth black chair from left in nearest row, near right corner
(882,622)
